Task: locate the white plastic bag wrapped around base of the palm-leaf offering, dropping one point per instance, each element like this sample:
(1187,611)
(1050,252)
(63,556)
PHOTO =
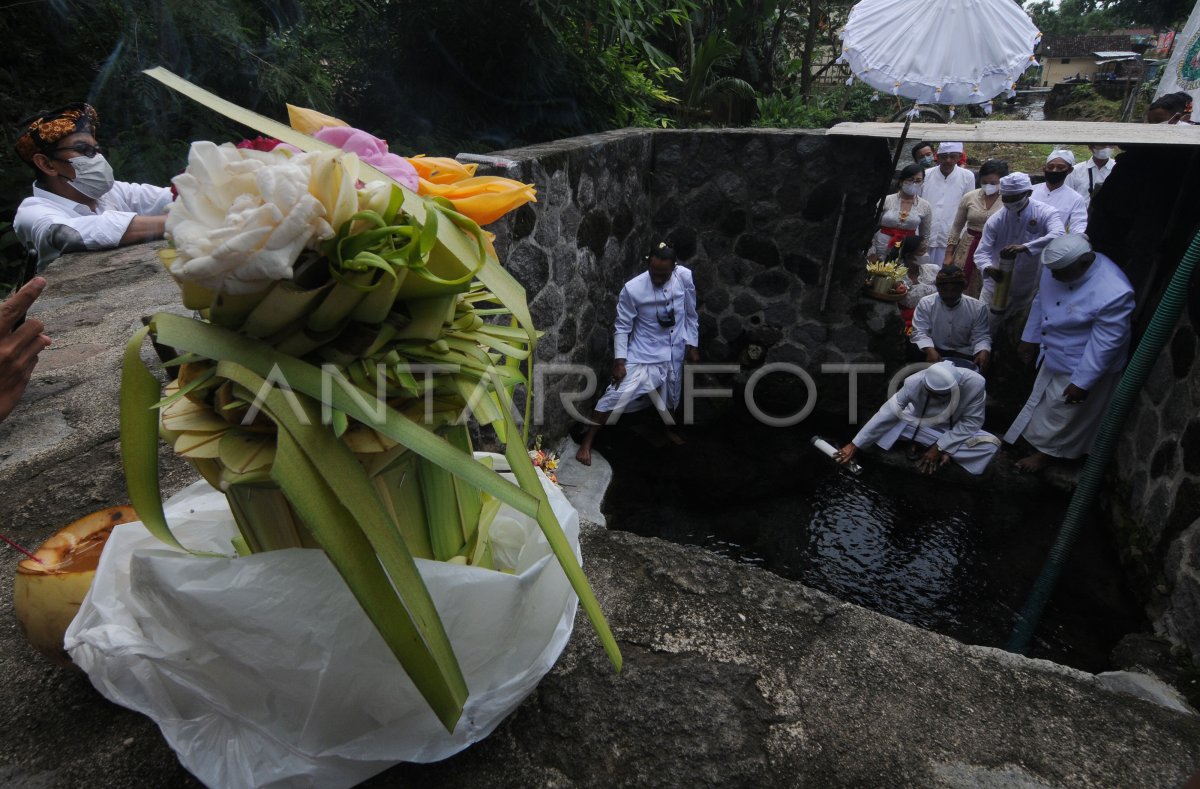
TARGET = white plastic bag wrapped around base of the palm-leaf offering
(265,672)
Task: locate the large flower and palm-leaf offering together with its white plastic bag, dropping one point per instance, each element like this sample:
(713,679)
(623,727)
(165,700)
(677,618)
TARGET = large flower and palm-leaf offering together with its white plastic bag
(347,329)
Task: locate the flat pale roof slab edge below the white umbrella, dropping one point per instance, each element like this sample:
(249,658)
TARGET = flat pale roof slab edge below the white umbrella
(1071,132)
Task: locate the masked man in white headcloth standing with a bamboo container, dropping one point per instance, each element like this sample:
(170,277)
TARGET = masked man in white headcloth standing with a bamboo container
(1018,233)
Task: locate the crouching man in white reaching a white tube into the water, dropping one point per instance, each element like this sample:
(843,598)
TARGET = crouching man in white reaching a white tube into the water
(941,407)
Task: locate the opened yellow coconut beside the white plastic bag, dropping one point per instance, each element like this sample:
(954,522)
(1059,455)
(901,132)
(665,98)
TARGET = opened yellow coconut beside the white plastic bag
(47,597)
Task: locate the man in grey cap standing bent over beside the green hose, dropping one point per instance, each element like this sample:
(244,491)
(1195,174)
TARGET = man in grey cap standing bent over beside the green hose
(1081,318)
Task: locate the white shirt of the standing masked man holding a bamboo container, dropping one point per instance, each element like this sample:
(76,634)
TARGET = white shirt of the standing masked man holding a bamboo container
(1034,227)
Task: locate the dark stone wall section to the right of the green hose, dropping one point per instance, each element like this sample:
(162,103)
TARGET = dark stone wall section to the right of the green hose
(1156,502)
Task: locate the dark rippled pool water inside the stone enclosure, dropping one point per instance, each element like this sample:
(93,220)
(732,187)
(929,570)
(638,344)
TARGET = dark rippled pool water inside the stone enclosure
(951,559)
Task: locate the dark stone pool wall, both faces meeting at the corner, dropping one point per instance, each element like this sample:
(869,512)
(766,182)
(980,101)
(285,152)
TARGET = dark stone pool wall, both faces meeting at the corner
(753,213)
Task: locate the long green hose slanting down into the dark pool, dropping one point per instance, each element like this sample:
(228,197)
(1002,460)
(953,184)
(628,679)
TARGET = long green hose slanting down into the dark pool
(1090,479)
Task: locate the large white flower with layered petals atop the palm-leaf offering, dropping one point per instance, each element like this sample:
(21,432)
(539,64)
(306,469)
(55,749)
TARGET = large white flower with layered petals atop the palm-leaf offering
(243,216)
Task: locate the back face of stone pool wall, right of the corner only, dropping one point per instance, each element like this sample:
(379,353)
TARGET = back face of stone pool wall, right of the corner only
(755,215)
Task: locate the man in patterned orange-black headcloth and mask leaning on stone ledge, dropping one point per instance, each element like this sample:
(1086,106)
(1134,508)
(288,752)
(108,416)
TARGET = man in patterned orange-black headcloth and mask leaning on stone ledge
(77,204)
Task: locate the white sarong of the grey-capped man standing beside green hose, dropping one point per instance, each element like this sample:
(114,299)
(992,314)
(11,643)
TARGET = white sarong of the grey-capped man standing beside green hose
(1055,429)
